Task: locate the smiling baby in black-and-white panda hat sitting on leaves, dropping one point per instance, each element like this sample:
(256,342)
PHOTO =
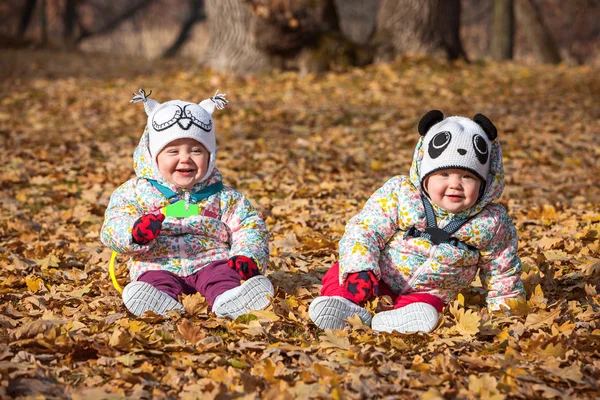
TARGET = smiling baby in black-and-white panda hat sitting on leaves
(422,238)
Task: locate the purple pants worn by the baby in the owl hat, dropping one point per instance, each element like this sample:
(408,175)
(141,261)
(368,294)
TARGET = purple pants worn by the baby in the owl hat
(211,281)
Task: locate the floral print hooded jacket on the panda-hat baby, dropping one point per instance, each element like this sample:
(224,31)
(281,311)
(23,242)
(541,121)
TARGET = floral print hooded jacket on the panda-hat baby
(375,240)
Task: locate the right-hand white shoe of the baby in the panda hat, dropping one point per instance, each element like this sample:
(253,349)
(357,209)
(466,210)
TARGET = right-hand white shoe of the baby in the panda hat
(415,317)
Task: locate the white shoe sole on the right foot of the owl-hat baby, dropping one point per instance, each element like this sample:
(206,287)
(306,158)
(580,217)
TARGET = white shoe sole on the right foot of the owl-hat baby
(251,295)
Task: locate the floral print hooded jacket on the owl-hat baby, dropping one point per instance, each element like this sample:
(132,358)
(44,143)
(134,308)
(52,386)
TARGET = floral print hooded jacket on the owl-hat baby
(228,224)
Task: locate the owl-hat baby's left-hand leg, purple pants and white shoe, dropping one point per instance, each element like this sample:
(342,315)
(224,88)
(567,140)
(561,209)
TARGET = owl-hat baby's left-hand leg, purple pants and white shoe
(155,291)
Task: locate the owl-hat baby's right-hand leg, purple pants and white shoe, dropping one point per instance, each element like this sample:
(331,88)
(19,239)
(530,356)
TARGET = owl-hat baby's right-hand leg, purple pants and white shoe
(220,284)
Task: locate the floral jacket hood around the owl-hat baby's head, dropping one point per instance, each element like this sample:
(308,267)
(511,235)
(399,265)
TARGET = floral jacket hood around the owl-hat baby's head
(146,168)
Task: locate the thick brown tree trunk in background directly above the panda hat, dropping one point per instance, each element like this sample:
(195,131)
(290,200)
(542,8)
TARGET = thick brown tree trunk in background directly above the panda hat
(418,26)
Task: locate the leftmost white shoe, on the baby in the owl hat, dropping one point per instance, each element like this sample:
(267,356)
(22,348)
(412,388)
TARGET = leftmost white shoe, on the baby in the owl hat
(140,297)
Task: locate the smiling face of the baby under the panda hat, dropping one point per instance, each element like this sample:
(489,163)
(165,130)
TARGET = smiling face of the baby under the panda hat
(454,190)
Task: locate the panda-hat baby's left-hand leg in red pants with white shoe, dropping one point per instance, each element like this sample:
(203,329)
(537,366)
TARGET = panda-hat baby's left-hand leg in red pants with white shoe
(336,304)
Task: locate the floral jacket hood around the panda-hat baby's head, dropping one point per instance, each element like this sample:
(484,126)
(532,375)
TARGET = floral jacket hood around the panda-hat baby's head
(493,188)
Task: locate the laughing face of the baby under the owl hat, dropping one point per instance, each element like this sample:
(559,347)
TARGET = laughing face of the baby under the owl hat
(183,162)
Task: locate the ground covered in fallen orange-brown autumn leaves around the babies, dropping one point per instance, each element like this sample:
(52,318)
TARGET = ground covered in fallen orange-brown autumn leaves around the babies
(308,152)
